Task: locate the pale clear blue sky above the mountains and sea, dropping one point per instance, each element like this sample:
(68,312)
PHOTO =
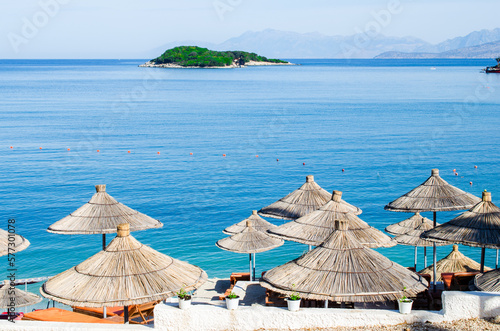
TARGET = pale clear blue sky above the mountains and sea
(128,29)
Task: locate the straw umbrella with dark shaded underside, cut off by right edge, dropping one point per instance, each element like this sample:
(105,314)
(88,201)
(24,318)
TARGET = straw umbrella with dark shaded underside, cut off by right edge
(477,227)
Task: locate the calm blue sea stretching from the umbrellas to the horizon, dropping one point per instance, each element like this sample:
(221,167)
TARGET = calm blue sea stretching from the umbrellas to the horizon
(386,122)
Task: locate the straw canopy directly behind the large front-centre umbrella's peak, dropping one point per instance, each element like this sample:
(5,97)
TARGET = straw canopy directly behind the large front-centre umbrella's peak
(315,227)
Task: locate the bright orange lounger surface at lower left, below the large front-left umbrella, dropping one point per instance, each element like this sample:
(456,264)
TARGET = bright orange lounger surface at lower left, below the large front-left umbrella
(61,315)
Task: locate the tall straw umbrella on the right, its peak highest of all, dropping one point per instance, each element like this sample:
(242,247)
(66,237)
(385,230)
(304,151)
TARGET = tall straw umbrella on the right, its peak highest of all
(435,194)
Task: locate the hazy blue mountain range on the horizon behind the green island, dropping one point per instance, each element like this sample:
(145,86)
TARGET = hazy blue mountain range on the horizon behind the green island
(290,45)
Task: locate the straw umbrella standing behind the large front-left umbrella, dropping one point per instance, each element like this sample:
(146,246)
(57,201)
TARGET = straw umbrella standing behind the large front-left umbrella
(101,215)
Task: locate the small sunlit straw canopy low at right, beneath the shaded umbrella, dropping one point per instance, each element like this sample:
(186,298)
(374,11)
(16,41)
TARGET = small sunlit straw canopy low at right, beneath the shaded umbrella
(453,262)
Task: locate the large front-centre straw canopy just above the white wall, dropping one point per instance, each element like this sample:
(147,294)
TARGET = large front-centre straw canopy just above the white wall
(342,269)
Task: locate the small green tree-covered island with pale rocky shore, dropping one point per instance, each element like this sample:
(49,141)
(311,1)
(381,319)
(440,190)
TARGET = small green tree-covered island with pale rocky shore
(198,57)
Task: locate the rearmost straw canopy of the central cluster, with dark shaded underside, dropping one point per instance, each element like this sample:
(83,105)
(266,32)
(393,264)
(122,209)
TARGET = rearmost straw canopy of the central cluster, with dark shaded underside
(309,197)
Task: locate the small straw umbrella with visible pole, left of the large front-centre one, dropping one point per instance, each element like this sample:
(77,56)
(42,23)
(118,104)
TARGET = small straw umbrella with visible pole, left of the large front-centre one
(249,241)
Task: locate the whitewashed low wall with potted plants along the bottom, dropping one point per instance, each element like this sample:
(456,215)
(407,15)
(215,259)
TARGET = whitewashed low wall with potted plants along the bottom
(457,305)
